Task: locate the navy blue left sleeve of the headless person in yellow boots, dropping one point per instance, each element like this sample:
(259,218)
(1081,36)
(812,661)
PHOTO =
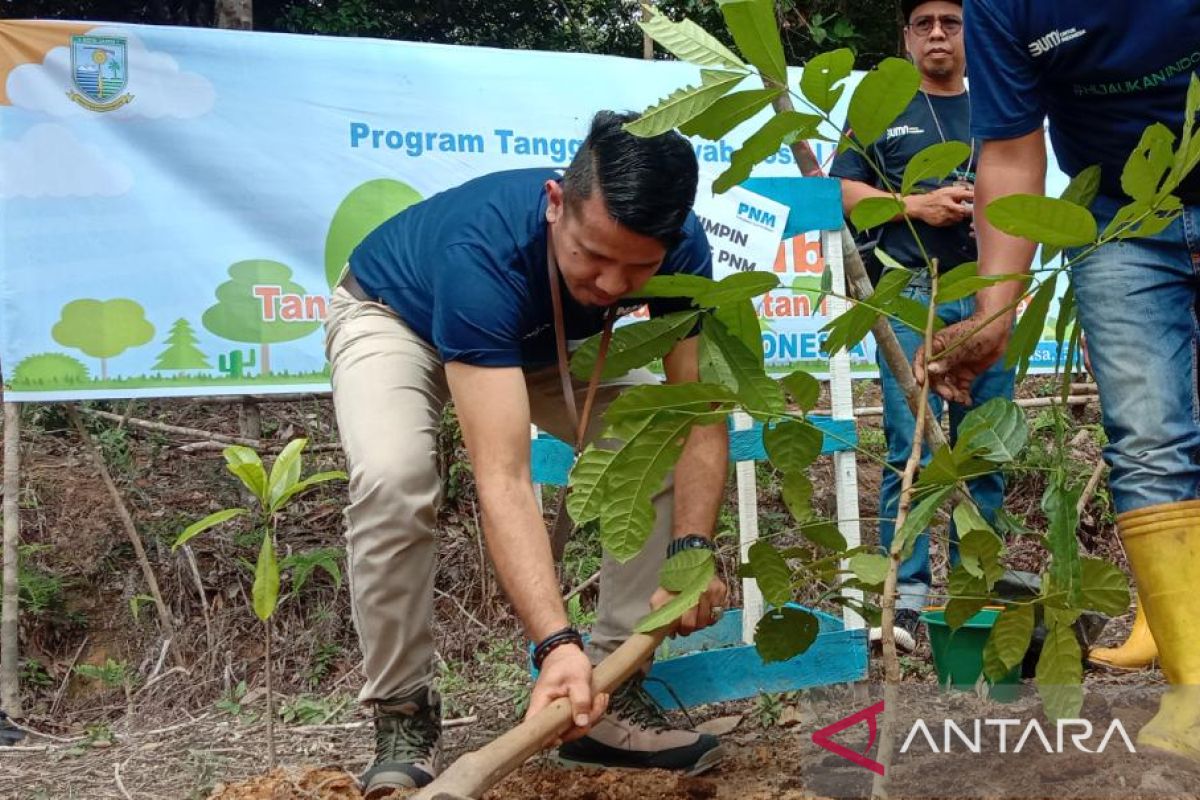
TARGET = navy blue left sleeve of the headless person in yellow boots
(1006,98)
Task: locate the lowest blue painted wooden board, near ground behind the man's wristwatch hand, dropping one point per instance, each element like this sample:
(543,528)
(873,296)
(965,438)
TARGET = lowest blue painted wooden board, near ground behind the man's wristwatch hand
(713,666)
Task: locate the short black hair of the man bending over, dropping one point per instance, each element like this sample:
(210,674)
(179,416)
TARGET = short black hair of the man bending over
(649,184)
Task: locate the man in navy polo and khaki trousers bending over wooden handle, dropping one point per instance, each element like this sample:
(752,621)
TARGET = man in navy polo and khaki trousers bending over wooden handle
(452,299)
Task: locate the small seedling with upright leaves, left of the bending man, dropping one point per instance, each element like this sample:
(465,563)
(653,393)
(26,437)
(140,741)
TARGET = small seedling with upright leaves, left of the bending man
(273,495)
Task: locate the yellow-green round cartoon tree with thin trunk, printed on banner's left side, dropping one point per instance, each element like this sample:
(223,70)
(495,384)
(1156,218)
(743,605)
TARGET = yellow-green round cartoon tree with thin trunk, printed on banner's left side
(103,329)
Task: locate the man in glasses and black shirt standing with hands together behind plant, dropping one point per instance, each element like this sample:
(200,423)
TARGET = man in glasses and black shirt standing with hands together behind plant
(941,215)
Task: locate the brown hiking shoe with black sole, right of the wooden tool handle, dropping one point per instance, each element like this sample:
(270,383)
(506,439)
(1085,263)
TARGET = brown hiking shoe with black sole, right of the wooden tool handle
(637,735)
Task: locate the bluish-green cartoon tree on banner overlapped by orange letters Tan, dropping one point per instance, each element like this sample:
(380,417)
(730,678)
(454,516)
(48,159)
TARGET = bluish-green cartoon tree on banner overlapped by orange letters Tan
(253,308)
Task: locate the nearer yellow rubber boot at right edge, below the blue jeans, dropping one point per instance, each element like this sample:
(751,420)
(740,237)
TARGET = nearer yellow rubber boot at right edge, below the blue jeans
(1163,544)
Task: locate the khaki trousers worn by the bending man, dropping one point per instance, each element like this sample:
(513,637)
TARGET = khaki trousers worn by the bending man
(389,393)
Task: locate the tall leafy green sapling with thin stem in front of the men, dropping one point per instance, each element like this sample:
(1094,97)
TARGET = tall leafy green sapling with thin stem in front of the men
(613,484)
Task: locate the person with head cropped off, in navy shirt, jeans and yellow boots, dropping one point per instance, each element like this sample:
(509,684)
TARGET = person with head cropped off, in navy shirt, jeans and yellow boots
(1103,74)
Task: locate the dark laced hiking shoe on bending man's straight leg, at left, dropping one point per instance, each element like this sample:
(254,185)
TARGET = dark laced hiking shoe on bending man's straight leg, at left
(407,735)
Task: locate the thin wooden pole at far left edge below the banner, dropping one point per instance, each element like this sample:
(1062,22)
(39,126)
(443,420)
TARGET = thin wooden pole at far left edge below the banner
(10,671)
